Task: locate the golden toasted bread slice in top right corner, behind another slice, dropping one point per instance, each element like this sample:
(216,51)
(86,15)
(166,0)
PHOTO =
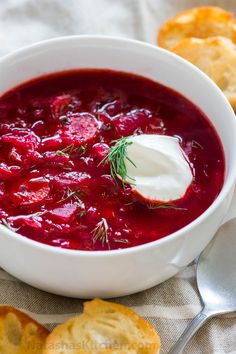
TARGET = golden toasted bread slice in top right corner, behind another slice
(199,22)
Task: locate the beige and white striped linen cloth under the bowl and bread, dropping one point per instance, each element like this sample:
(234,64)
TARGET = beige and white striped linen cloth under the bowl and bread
(171,305)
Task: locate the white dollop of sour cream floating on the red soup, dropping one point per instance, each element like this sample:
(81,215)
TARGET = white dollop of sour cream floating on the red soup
(162,171)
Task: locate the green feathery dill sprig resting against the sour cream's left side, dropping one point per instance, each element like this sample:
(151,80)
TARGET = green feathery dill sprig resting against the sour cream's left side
(116,157)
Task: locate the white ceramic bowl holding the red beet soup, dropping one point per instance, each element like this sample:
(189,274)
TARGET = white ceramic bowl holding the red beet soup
(86,274)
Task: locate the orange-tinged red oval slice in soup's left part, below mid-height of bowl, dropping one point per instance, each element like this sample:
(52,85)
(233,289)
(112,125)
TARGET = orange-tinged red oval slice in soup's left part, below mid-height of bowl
(30,191)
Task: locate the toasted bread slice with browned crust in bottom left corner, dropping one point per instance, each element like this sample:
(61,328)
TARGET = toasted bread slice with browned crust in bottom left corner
(20,334)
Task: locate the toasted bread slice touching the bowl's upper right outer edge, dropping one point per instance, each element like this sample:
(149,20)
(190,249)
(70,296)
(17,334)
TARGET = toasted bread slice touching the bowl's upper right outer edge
(215,56)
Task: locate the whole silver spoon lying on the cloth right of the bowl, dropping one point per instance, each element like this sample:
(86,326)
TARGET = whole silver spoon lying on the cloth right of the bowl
(216,280)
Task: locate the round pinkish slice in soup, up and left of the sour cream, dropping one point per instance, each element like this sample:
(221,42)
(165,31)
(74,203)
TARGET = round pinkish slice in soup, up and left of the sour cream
(81,128)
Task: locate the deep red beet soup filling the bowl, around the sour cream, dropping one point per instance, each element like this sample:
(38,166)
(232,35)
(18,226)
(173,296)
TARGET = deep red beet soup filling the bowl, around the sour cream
(56,130)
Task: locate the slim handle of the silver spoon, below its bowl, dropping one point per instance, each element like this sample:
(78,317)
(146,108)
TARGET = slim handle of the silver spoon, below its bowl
(192,328)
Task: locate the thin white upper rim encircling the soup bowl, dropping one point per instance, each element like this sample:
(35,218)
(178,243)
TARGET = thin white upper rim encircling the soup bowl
(228,182)
